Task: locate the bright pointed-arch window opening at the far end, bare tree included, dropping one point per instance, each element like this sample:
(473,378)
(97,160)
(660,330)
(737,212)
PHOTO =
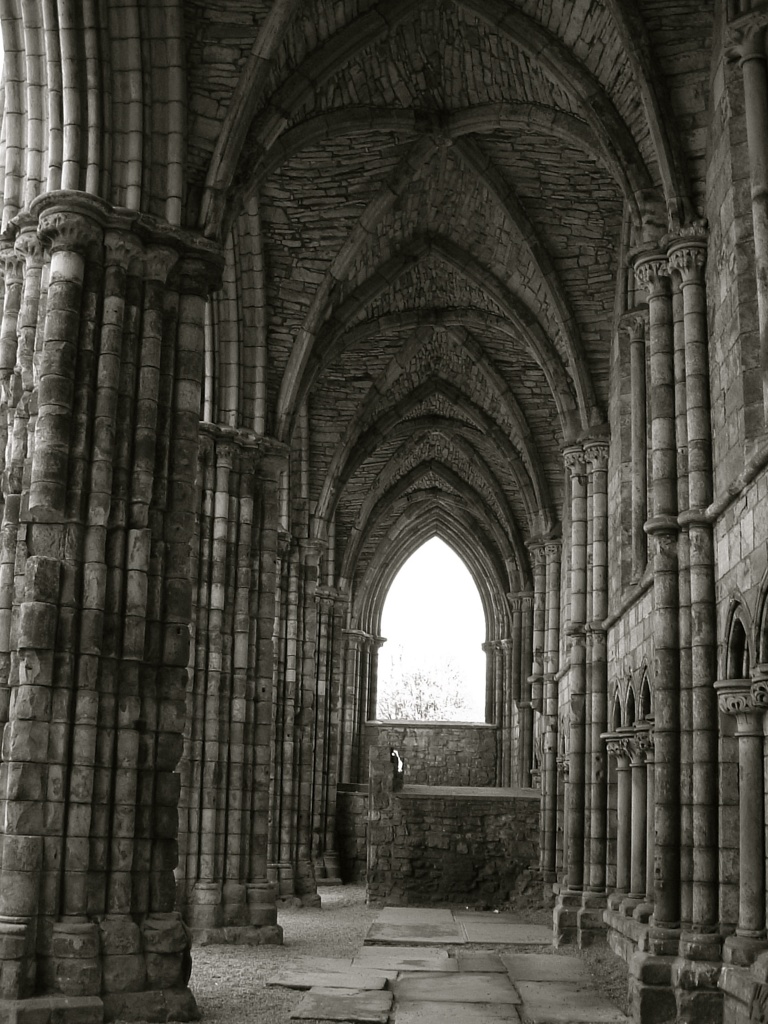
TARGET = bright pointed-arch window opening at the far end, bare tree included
(433,666)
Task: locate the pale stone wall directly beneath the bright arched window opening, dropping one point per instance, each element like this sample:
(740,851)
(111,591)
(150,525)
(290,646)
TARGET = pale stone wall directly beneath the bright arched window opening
(440,753)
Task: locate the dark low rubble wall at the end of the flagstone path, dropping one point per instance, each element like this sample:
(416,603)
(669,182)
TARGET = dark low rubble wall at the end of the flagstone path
(447,844)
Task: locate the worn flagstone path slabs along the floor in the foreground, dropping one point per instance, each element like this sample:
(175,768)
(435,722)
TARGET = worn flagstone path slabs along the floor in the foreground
(408,977)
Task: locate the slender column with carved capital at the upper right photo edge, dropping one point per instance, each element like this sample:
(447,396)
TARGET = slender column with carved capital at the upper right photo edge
(750,50)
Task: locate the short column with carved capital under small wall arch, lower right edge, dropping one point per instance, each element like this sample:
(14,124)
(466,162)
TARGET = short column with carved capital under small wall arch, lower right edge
(747,703)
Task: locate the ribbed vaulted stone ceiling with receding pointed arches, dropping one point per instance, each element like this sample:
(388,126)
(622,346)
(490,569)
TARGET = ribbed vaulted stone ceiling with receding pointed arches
(445,193)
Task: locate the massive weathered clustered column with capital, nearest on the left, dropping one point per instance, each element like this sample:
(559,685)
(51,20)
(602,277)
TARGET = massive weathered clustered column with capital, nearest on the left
(102,367)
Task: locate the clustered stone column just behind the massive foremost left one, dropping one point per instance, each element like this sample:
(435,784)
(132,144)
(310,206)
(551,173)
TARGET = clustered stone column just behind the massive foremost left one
(223,876)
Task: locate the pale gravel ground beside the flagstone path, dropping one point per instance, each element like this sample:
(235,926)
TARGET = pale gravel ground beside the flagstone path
(230,983)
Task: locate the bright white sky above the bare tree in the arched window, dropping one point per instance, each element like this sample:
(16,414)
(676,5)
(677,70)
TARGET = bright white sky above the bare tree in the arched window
(434,613)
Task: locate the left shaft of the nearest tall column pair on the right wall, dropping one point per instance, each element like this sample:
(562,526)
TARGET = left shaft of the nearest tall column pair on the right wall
(653,274)
